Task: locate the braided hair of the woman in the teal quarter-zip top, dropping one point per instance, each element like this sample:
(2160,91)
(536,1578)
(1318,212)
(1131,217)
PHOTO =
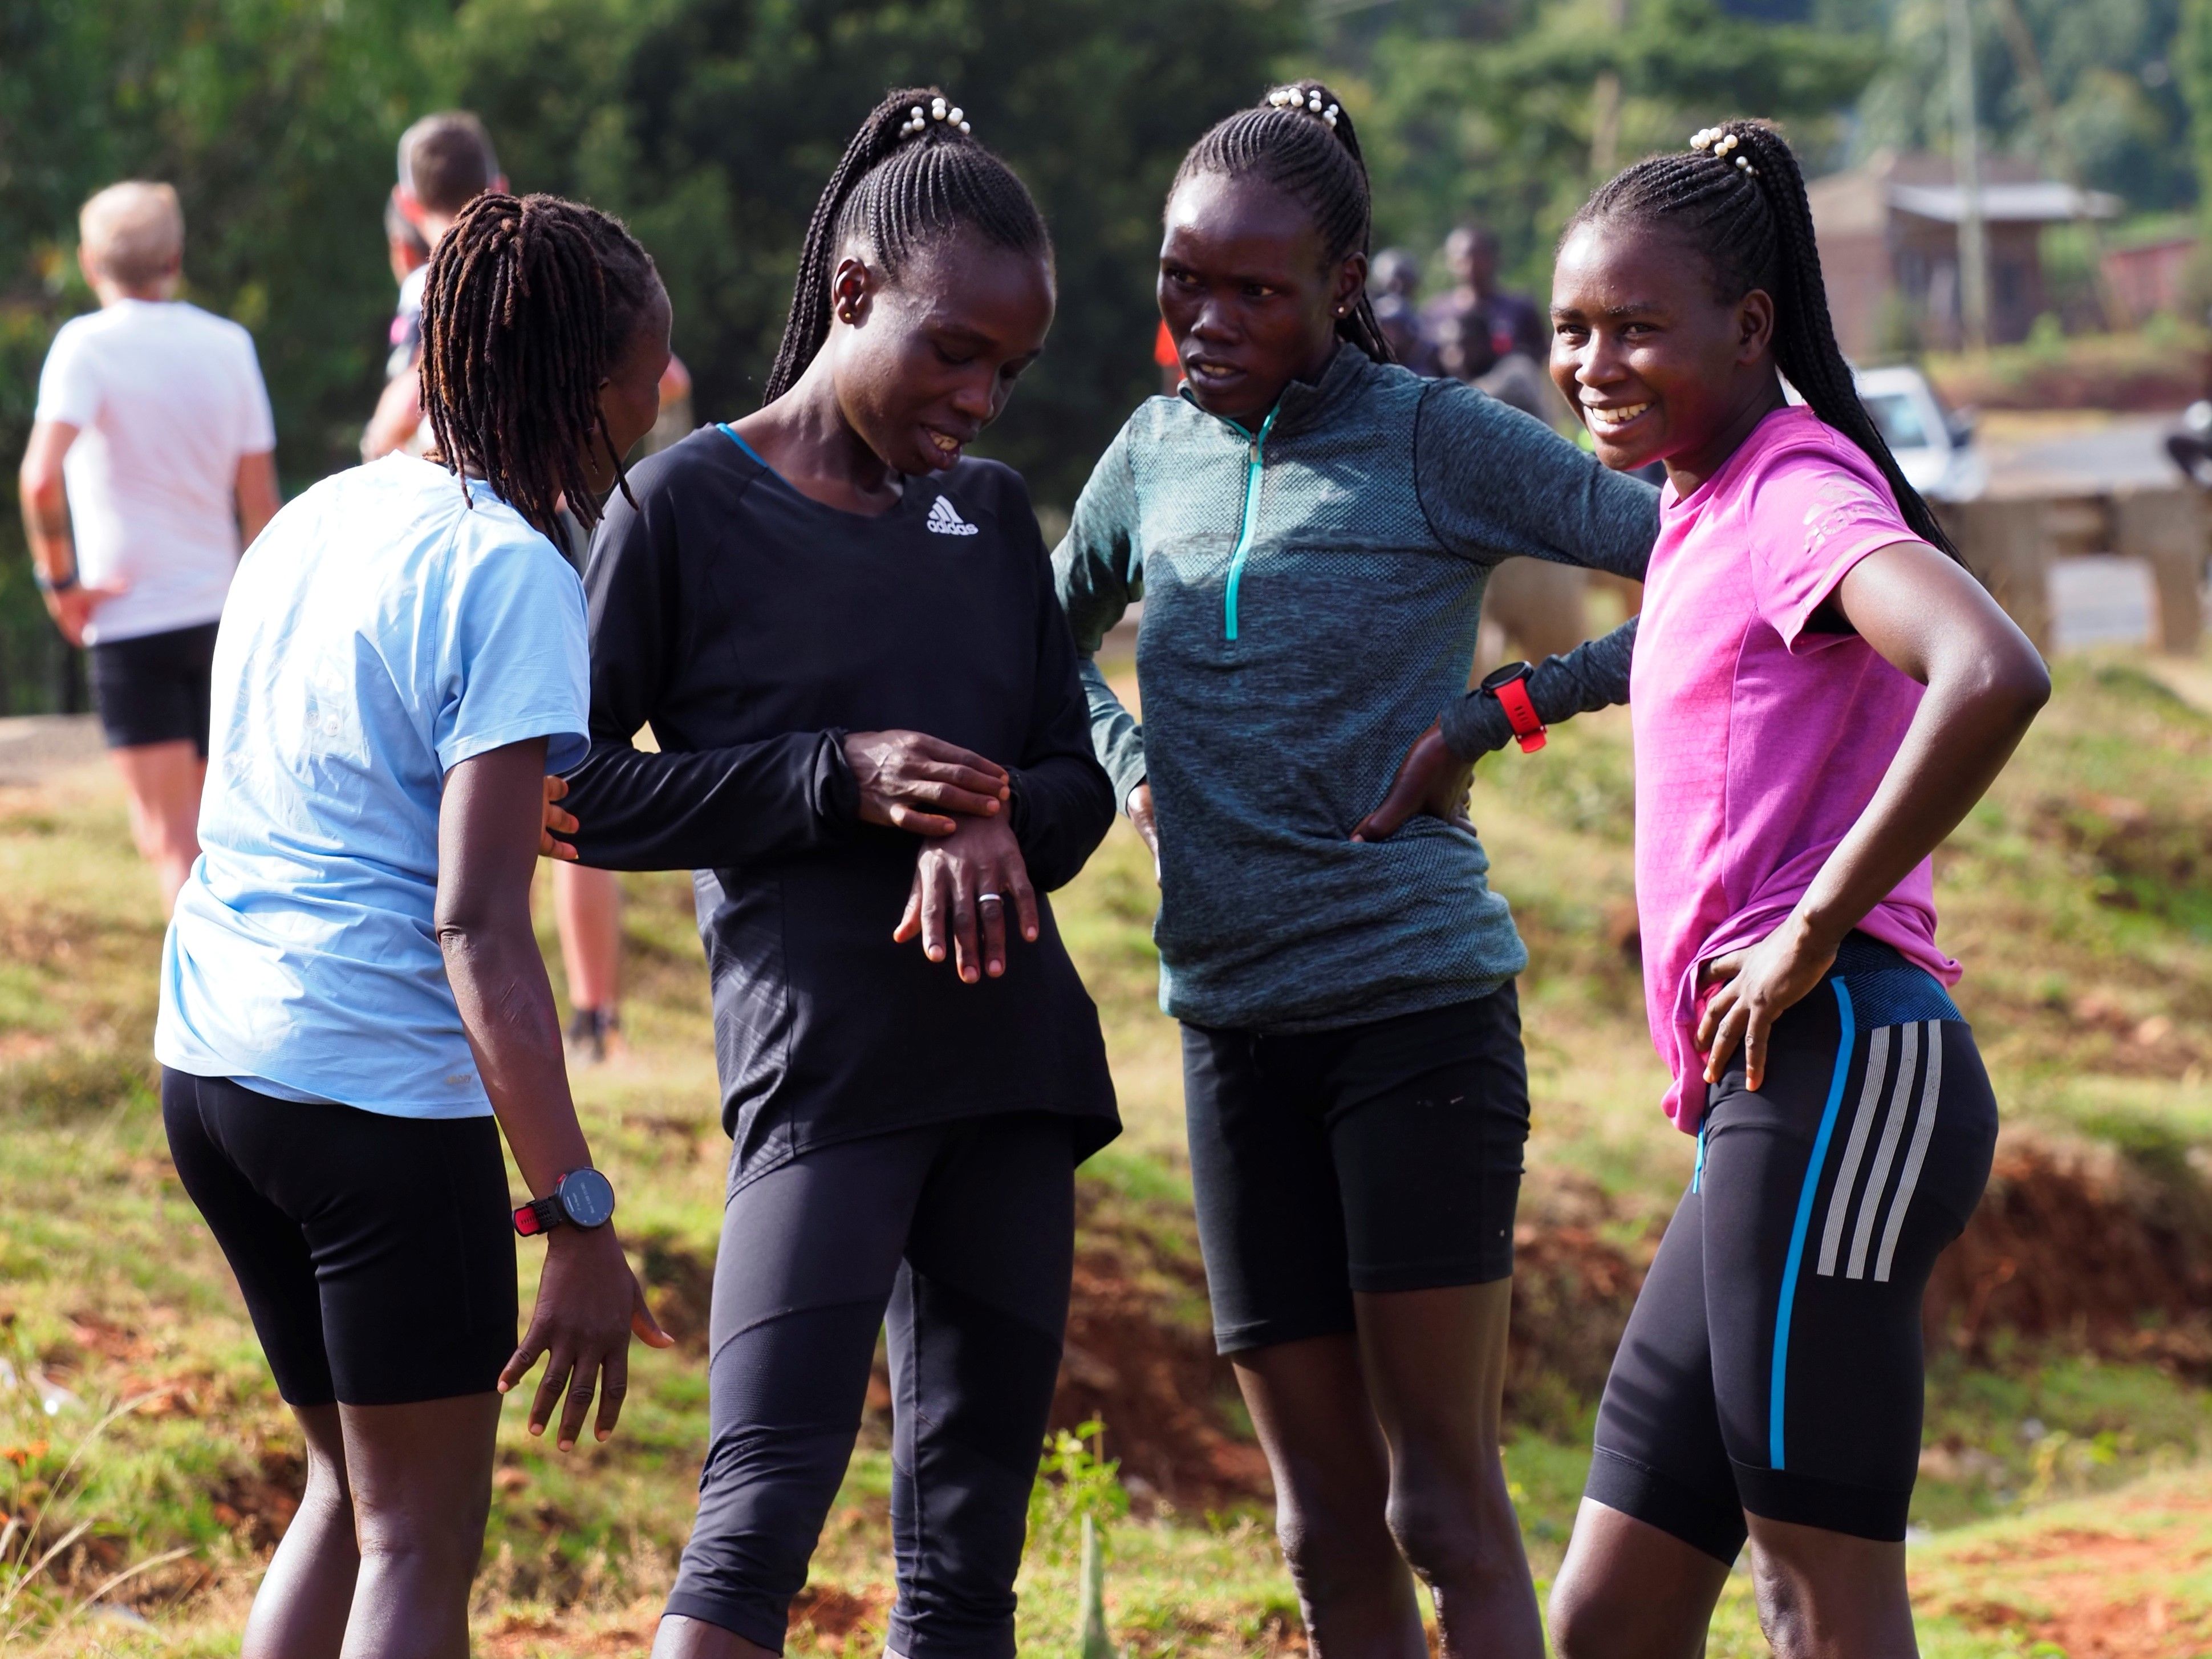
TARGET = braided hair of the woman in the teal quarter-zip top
(1302,143)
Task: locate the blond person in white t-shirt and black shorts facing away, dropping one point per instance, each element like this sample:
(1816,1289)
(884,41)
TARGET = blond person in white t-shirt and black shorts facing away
(149,468)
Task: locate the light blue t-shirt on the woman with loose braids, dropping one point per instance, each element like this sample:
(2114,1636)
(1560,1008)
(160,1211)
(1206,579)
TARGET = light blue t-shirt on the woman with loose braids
(379,632)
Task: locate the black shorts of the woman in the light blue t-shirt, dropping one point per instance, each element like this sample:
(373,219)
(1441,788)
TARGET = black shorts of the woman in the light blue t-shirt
(377,1255)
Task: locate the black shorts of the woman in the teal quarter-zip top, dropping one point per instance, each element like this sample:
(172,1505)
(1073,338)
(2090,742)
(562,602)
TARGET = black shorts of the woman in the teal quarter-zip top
(1384,1156)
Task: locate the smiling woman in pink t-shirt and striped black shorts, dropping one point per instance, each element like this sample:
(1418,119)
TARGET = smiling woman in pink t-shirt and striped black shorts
(1819,698)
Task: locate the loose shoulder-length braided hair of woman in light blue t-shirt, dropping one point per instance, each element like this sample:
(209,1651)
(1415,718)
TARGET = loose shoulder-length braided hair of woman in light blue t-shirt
(528,309)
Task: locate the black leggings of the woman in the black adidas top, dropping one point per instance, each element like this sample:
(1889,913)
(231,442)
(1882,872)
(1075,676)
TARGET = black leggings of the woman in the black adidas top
(961,1238)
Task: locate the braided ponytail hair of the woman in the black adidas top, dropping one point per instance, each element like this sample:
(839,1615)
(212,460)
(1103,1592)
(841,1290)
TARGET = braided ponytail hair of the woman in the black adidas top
(910,178)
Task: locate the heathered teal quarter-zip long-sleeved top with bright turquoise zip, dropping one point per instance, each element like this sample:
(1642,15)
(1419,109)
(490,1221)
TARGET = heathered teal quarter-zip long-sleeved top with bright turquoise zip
(1313,592)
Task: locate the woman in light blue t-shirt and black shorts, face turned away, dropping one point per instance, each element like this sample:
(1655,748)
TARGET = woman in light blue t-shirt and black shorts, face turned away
(353,1001)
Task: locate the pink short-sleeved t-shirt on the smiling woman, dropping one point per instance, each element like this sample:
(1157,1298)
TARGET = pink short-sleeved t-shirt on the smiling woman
(1760,735)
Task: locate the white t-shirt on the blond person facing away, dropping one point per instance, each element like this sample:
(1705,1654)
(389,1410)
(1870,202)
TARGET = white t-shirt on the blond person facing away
(167,401)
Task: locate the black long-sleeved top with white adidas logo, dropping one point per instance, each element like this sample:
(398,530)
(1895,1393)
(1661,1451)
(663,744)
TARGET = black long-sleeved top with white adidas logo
(753,629)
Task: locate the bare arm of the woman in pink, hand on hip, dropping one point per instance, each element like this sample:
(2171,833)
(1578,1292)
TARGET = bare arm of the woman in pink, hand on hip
(1985,685)
